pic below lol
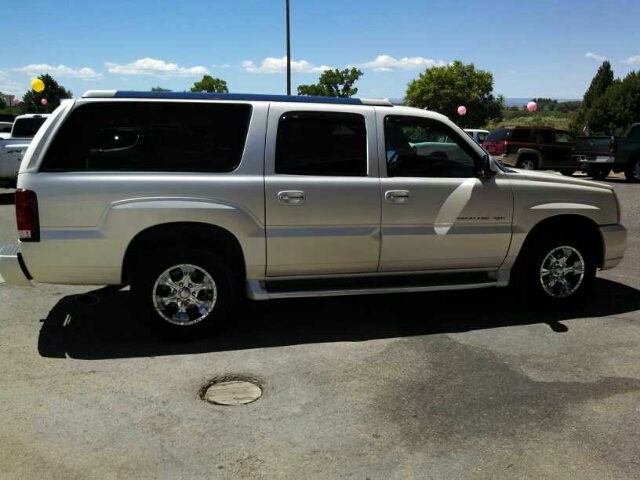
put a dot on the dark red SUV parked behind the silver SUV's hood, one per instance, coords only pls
(533, 148)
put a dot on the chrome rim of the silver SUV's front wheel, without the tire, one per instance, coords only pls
(562, 271)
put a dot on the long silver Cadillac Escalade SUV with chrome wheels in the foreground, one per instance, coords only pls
(196, 200)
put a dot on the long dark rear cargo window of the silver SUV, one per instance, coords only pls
(151, 136)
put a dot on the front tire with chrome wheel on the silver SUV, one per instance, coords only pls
(539, 277)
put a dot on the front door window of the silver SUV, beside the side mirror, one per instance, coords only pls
(421, 147)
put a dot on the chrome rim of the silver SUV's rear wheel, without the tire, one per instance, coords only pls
(184, 294)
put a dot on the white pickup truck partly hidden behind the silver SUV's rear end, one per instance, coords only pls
(12, 148)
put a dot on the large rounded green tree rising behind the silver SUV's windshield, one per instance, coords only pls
(444, 89)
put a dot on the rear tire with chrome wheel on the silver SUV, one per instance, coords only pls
(183, 292)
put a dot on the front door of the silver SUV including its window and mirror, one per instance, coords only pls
(436, 214)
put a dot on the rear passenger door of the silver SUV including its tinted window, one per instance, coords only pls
(322, 191)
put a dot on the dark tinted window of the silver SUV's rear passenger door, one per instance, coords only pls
(312, 143)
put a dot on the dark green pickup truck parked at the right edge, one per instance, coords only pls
(600, 155)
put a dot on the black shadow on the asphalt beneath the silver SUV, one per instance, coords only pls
(99, 325)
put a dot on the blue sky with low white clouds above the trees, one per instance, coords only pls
(538, 48)
